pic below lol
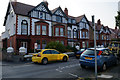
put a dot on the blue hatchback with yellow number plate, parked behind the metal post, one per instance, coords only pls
(105, 58)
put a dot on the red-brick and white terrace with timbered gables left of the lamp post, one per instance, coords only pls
(26, 25)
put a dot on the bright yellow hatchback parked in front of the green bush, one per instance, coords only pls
(45, 55)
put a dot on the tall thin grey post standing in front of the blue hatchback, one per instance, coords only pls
(93, 24)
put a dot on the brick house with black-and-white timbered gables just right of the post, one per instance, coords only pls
(103, 34)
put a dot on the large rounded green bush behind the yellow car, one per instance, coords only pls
(56, 45)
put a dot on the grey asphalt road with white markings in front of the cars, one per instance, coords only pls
(70, 69)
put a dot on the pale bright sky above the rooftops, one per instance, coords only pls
(105, 10)
